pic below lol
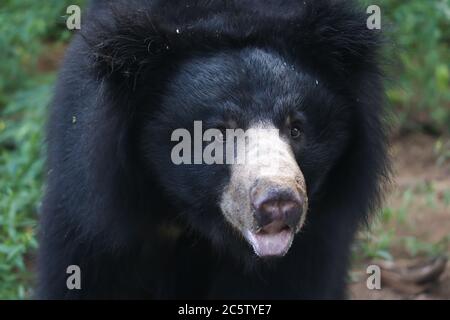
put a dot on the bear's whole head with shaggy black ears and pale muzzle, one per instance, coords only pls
(243, 117)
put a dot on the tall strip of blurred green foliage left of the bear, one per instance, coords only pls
(27, 27)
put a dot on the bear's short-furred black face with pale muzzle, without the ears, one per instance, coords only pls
(242, 141)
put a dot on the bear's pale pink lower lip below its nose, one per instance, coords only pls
(270, 244)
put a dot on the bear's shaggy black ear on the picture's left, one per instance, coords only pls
(123, 42)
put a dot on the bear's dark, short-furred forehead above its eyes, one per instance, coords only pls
(245, 79)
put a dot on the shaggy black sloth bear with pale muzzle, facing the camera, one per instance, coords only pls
(140, 225)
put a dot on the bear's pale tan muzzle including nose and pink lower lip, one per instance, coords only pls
(265, 199)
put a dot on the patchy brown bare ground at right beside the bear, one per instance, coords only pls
(422, 169)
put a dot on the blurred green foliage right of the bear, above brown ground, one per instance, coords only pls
(418, 62)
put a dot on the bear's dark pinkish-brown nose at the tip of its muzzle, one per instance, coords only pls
(276, 210)
